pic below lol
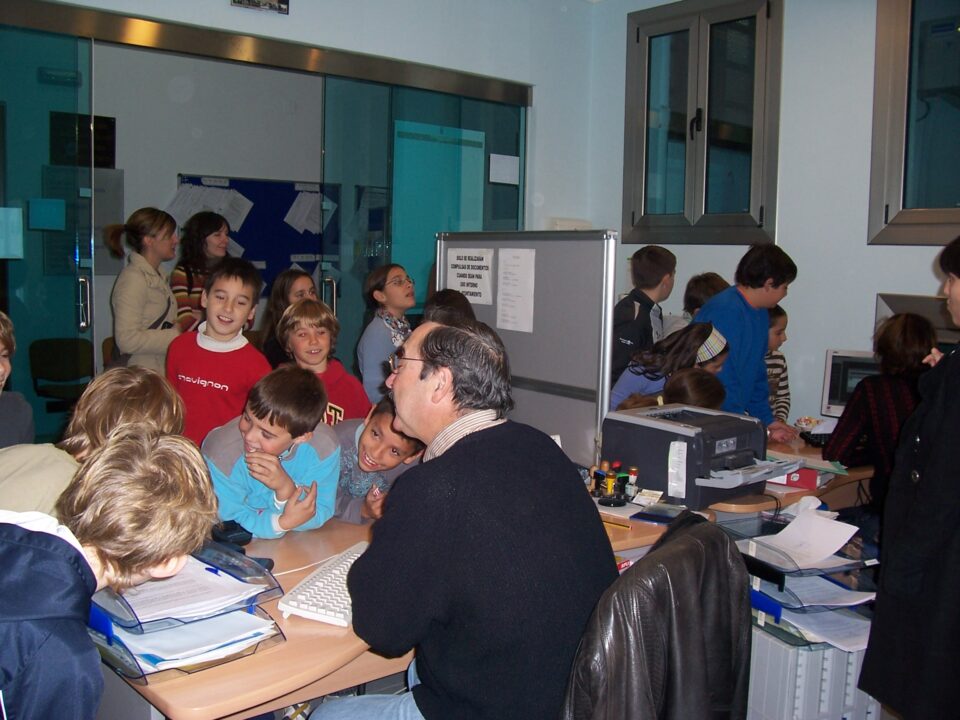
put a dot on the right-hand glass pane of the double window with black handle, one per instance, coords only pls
(730, 116)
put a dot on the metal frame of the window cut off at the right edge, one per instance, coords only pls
(889, 223)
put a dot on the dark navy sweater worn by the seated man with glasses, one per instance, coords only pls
(488, 560)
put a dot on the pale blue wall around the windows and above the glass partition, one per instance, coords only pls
(573, 54)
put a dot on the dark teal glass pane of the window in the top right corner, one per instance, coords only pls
(932, 155)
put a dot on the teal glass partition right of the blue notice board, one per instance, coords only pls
(411, 163)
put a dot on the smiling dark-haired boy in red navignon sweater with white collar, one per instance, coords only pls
(214, 368)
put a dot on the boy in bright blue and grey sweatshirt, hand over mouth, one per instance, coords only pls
(275, 467)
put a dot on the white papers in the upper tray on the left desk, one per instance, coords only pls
(196, 591)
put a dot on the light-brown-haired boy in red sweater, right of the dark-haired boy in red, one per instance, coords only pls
(308, 331)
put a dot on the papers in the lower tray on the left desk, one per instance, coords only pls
(198, 642)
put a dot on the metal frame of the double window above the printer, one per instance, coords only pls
(694, 226)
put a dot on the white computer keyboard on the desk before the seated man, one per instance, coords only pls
(322, 595)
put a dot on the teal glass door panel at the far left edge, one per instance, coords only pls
(46, 259)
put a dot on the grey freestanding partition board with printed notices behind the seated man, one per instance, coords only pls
(553, 309)
